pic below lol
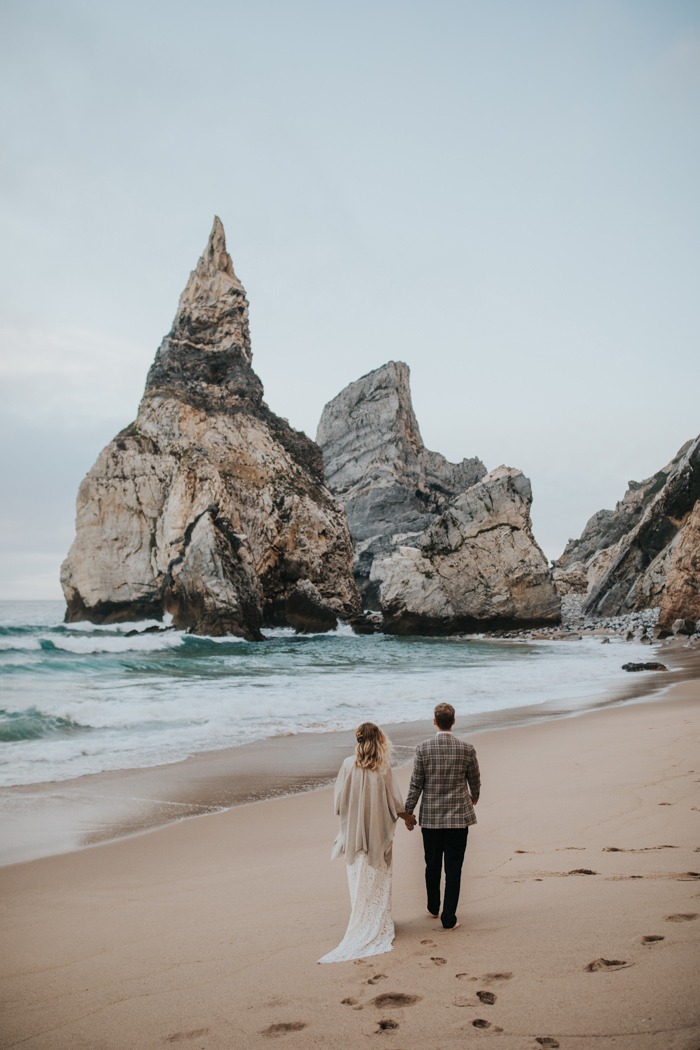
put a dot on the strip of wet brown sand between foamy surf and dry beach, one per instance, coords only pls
(51, 818)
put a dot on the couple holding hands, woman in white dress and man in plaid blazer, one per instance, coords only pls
(369, 805)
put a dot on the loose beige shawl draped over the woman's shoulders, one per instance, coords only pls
(368, 805)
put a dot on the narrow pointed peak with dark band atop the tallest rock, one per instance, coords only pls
(207, 354)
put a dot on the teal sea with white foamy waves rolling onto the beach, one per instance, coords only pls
(80, 699)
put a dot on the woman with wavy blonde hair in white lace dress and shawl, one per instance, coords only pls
(369, 804)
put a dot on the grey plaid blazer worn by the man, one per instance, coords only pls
(447, 774)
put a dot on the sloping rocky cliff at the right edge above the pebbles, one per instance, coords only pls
(646, 554)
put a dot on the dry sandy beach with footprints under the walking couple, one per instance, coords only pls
(580, 912)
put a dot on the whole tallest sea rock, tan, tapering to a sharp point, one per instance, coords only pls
(209, 507)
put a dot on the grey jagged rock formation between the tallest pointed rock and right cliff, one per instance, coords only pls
(440, 548)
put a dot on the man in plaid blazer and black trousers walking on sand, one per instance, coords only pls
(447, 773)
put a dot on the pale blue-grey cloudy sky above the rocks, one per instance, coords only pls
(502, 194)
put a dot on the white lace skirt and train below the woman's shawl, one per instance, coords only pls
(371, 928)
